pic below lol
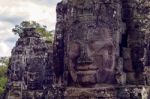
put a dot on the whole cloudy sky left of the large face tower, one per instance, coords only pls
(13, 12)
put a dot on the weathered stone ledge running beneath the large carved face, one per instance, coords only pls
(108, 91)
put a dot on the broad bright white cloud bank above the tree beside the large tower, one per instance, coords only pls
(30, 11)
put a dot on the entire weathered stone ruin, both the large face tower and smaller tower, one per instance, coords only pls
(100, 51)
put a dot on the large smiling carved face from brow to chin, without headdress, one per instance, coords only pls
(92, 53)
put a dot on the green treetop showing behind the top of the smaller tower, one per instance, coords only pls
(41, 29)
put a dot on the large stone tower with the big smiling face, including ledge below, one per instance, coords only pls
(102, 42)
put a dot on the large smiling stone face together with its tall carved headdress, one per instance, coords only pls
(92, 31)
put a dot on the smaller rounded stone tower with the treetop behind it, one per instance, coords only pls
(29, 66)
